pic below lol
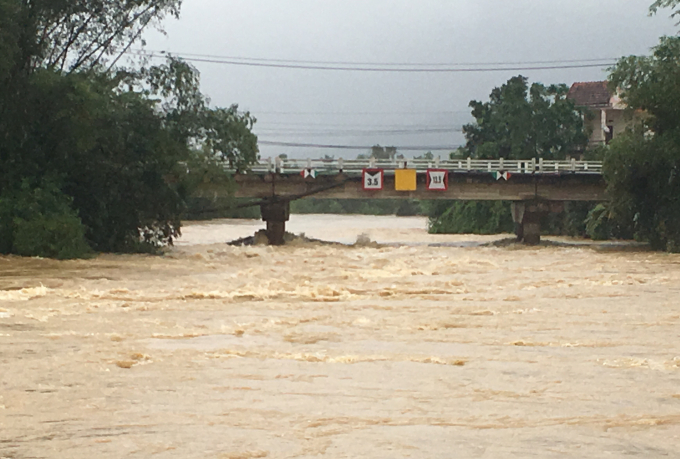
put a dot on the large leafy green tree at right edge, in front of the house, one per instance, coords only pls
(642, 167)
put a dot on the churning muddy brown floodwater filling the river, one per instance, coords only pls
(427, 347)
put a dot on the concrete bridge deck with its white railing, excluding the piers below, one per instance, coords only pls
(474, 180)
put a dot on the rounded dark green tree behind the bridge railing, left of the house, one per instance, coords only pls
(522, 122)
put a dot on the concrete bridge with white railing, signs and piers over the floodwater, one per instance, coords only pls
(535, 187)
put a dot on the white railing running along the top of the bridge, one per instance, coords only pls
(356, 166)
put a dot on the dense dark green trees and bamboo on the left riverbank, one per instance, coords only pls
(94, 156)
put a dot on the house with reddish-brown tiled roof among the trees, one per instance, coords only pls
(609, 119)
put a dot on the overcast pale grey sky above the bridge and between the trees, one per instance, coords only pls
(414, 111)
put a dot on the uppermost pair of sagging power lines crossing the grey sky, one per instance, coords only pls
(385, 69)
